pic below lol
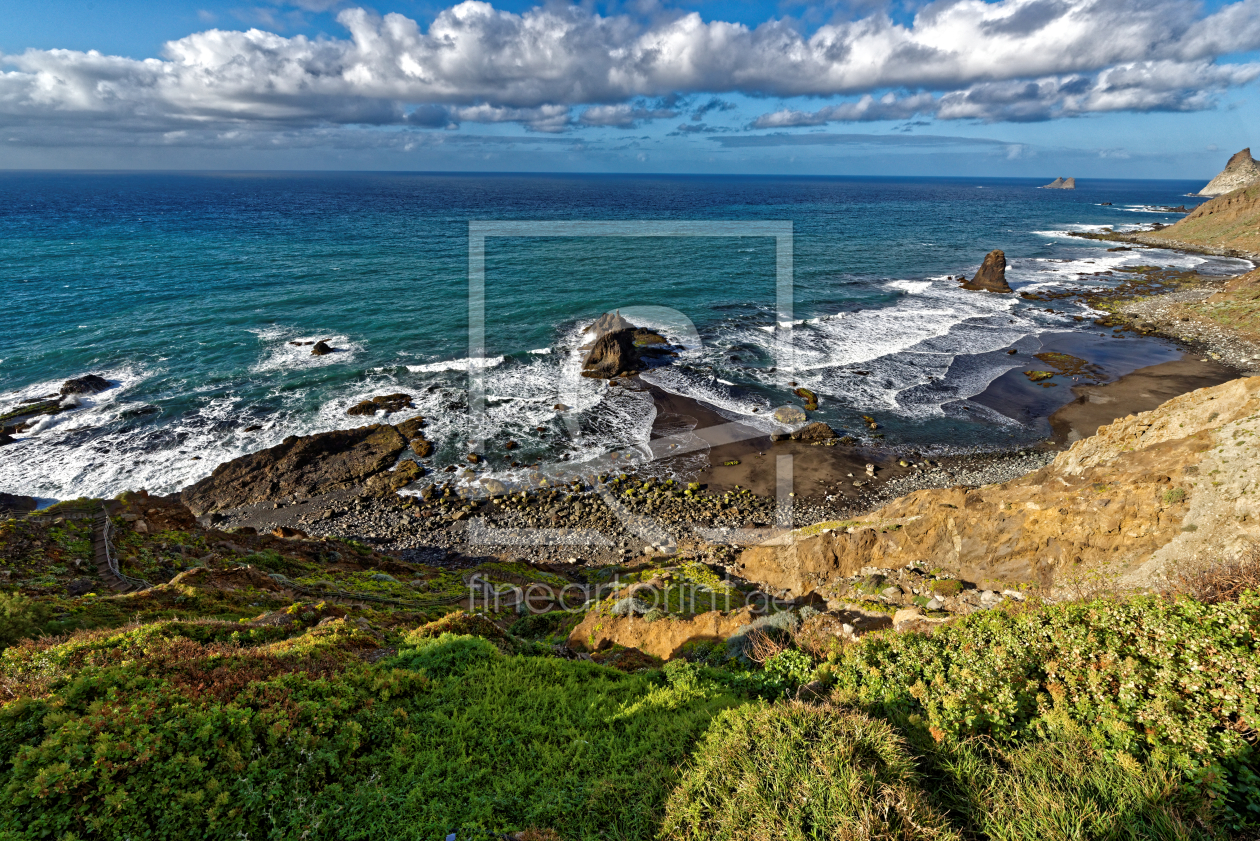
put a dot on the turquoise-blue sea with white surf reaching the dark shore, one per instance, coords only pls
(188, 289)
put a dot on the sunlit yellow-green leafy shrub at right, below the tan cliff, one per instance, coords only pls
(1172, 683)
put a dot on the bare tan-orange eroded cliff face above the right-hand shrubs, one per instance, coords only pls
(1148, 496)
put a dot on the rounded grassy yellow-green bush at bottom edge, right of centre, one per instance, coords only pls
(793, 772)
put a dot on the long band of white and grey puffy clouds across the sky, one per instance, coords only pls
(1010, 60)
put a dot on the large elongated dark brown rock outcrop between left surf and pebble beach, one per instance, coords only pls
(301, 466)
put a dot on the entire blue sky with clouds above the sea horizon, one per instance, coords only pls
(1091, 89)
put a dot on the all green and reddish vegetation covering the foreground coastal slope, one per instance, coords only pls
(225, 704)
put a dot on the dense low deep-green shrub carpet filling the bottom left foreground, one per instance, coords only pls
(367, 752)
